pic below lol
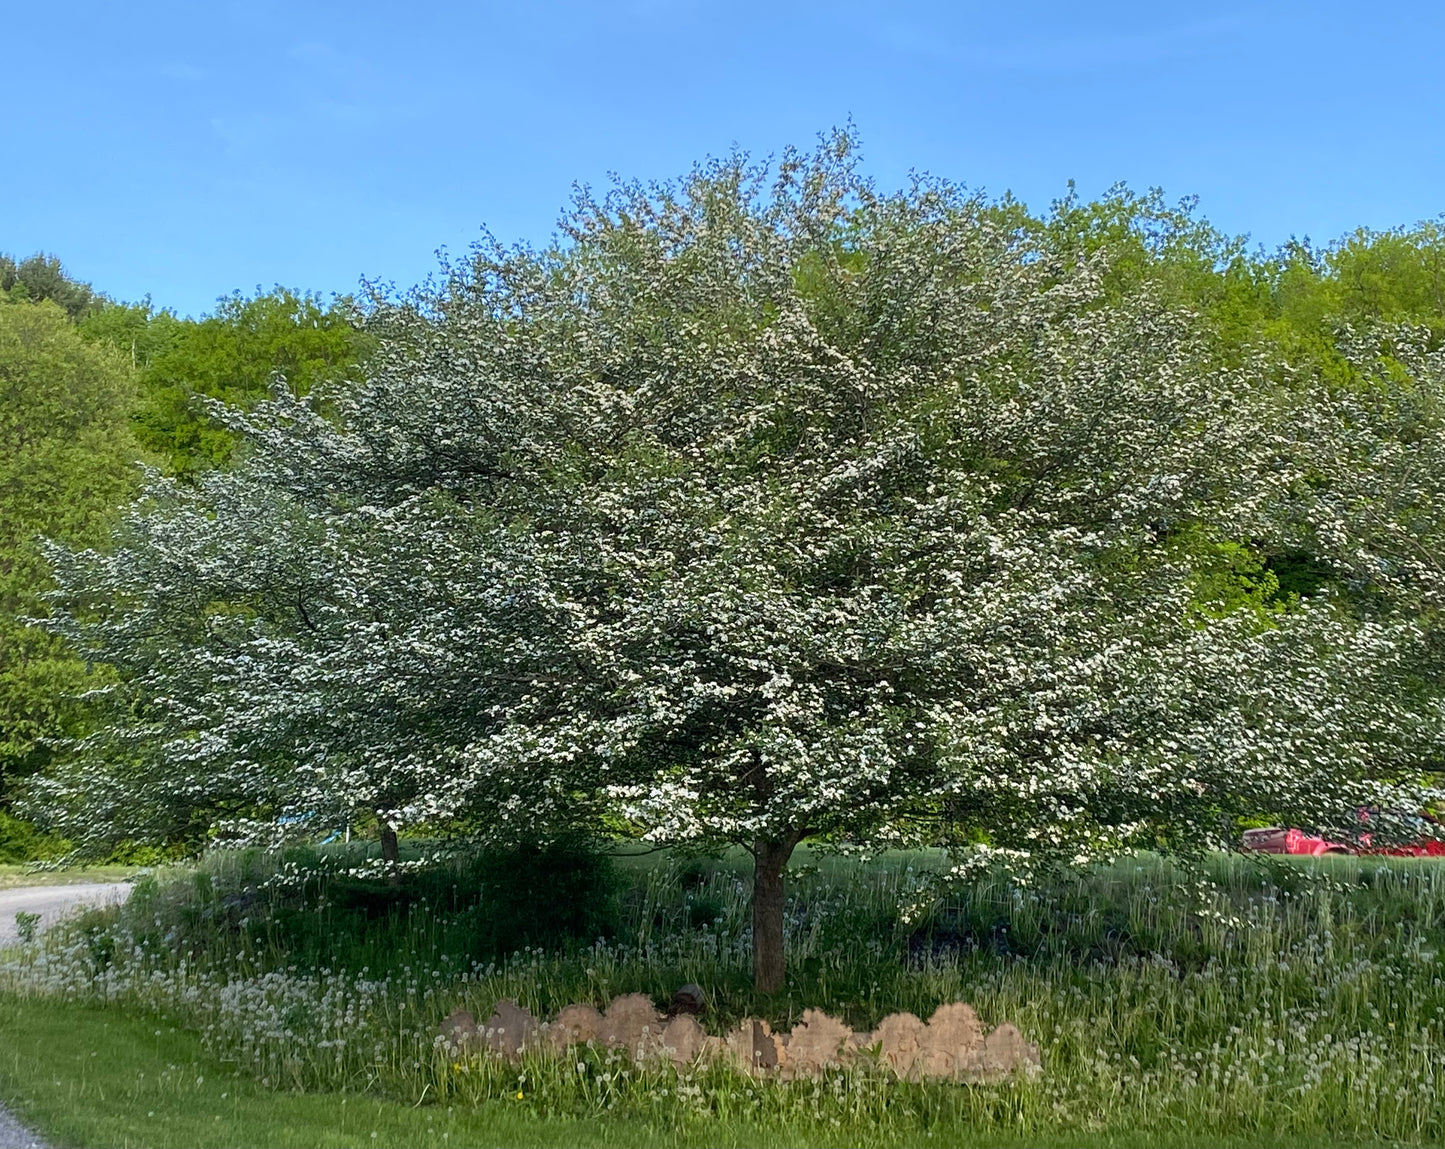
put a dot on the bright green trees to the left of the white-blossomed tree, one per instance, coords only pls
(92, 392)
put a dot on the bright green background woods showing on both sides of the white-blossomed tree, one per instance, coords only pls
(93, 391)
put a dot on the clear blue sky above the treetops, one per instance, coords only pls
(186, 151)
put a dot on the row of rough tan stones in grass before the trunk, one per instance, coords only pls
(952, 1046)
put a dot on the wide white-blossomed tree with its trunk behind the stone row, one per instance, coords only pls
(754, 512)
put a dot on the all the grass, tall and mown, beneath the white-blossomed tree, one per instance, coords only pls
(1258, 1004)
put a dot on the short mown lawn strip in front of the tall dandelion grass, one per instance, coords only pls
(98, 1077)
